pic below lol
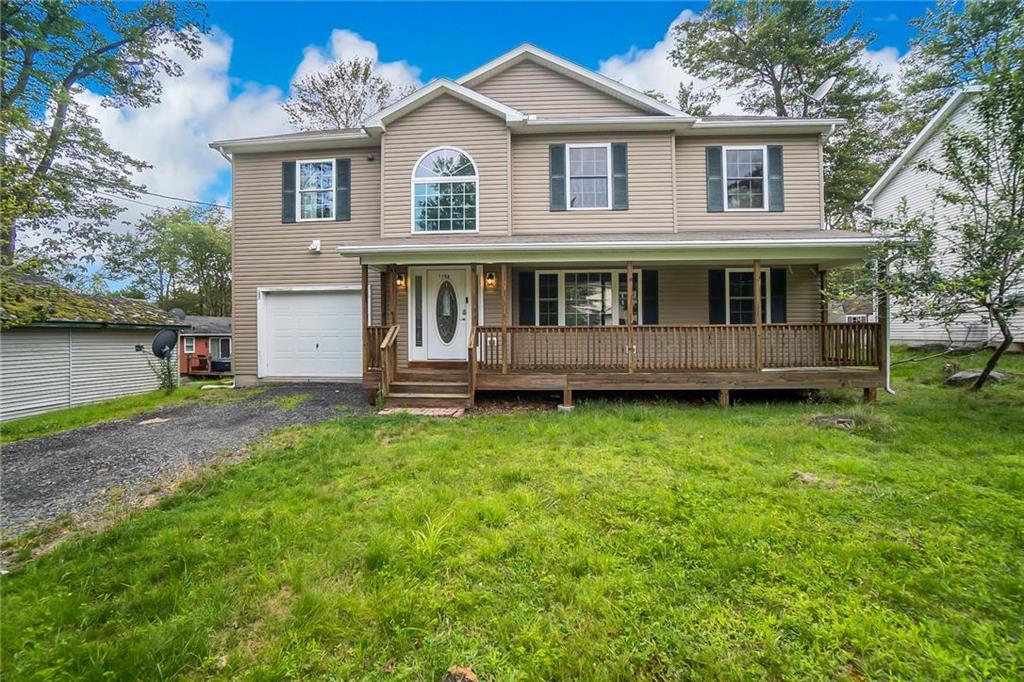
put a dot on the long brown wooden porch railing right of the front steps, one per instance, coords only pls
(678, 348)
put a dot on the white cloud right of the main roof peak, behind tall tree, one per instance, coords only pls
(651, 69)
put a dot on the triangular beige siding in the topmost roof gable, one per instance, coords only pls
(537, 90)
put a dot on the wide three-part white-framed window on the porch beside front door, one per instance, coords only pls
(585, 299)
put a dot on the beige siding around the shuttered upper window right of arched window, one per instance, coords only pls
(650, 164)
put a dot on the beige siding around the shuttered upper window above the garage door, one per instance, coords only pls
(268, 252)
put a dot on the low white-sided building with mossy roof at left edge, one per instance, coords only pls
(60, 349)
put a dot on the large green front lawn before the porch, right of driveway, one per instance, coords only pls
(648, 542)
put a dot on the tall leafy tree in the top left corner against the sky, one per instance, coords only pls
(59, 173)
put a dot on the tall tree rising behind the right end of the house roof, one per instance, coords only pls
(777, 52)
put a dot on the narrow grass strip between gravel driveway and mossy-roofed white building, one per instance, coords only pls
(86, 415)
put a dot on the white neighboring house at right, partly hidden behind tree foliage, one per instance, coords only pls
(903, 182)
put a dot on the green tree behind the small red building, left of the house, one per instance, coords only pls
(178, 259)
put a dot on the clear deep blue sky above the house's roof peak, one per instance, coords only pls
(270, 35)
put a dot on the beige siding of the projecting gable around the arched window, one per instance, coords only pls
(447, 122)
